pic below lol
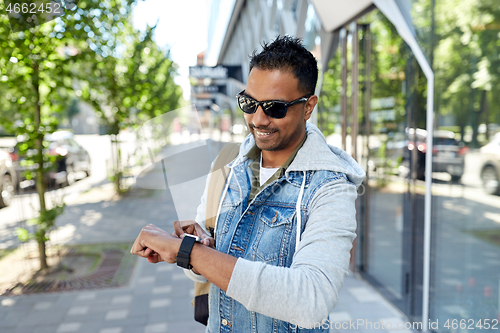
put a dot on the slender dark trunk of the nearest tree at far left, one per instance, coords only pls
(40, 179)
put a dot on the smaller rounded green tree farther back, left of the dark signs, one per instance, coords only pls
(130, 85)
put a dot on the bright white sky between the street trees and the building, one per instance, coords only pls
(182, 26)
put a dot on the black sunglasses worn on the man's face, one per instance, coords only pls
(273, 109)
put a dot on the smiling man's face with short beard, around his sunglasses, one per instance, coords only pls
(276, 134)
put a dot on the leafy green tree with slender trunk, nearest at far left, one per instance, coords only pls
(38, 64)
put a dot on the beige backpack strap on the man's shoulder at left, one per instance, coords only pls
(220, 172)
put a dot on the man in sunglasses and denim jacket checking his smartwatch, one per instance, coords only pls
(287, 217)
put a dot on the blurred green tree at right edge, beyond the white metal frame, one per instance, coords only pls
(466, 62)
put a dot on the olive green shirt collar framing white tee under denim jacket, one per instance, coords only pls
(254, 154)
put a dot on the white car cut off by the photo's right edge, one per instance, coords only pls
(490, 170)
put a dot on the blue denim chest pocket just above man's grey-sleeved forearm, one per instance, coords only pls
(275, 232)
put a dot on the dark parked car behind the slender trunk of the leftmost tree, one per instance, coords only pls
(71, 159)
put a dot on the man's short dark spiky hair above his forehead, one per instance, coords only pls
(288, 53)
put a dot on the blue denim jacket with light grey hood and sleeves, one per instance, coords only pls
(292, 241)
